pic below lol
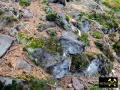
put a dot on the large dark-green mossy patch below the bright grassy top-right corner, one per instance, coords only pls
(106, 20)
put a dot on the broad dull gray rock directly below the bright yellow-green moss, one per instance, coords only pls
(43, 58)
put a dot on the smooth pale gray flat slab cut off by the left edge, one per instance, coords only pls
(5, 43)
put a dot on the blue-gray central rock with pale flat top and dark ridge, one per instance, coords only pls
(70, 43)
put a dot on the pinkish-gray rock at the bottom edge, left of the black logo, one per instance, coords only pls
(76, 84)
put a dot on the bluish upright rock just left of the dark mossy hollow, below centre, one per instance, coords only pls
(60, 69)
